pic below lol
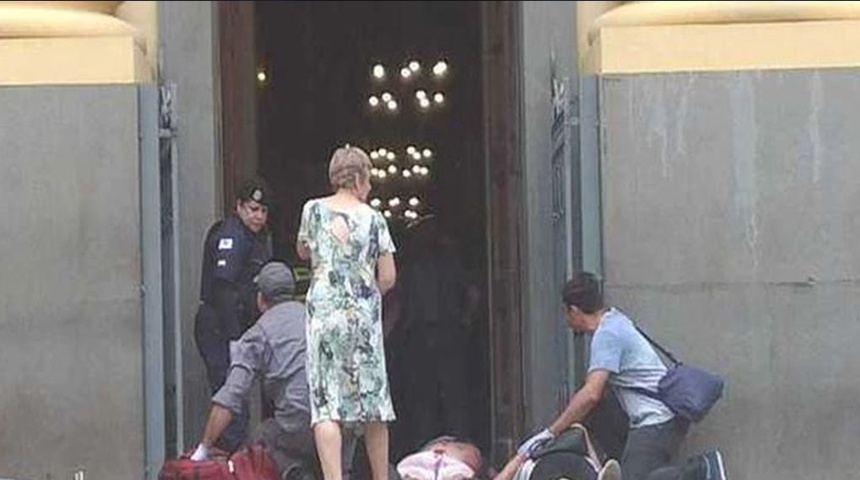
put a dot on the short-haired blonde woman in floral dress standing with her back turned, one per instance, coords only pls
(352, 258)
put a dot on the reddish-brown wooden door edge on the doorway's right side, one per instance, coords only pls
(501, 25)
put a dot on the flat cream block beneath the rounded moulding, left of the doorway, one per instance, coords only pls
(73, 60)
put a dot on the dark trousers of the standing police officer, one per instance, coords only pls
(214, 347)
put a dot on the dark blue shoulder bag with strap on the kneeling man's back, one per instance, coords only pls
(688, 391)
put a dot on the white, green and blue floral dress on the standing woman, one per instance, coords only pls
(345, 357)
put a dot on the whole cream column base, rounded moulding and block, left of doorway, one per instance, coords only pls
(77, 42)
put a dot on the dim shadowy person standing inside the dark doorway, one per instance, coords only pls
(434, 356)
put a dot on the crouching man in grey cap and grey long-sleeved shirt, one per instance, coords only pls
(273, 348)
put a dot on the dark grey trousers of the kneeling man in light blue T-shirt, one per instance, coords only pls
(650, 451)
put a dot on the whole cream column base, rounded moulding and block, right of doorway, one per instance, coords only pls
(661, 36)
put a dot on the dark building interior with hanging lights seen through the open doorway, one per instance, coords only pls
(321, 90)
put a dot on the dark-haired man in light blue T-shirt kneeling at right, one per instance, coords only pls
(623, 359)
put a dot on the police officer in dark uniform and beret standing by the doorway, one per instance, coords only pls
(234, 251)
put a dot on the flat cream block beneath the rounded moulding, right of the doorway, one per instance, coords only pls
(725, 47)
